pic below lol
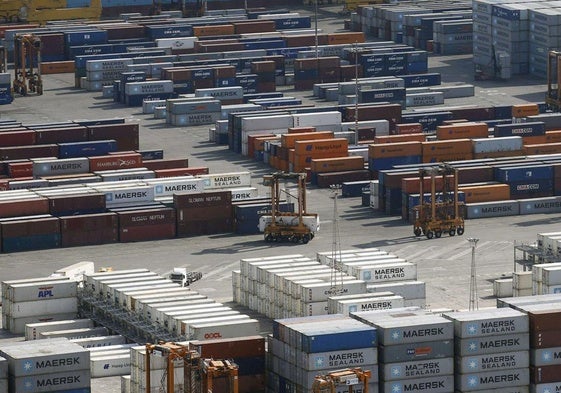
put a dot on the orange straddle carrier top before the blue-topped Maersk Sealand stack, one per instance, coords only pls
(353, 378)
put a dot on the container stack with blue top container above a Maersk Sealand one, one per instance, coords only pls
(301, 348)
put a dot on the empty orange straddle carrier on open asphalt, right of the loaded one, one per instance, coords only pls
(441, 213)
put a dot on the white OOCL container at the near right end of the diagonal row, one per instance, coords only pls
(232, 329)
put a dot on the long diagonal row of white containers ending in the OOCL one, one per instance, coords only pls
(163, 305)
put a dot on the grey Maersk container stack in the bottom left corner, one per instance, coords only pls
(55, 365)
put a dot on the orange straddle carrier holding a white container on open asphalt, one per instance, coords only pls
(287, 226)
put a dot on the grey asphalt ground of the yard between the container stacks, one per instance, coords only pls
(444, 264)
